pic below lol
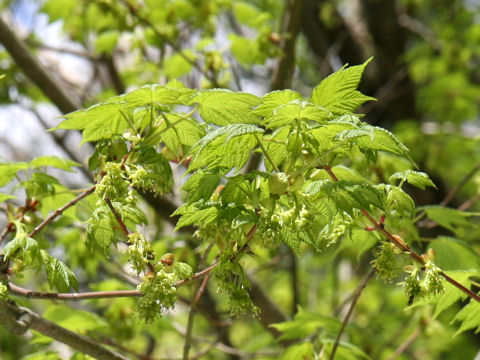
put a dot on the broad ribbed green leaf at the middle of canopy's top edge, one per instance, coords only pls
(224, 107)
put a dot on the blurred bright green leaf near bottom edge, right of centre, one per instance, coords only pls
(305, 323)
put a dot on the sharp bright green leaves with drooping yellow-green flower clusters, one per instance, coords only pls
(302, 195)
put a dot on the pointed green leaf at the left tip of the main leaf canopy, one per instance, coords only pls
(98, 122)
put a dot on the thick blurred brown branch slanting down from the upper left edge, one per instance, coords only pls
(36, 71)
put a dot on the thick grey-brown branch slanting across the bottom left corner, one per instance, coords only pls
(18, 320)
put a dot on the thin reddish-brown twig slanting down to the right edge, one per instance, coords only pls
(404, 246)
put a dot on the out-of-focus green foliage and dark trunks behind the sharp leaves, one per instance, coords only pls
(425, 76)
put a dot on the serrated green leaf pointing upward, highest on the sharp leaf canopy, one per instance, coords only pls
(337, 93)
